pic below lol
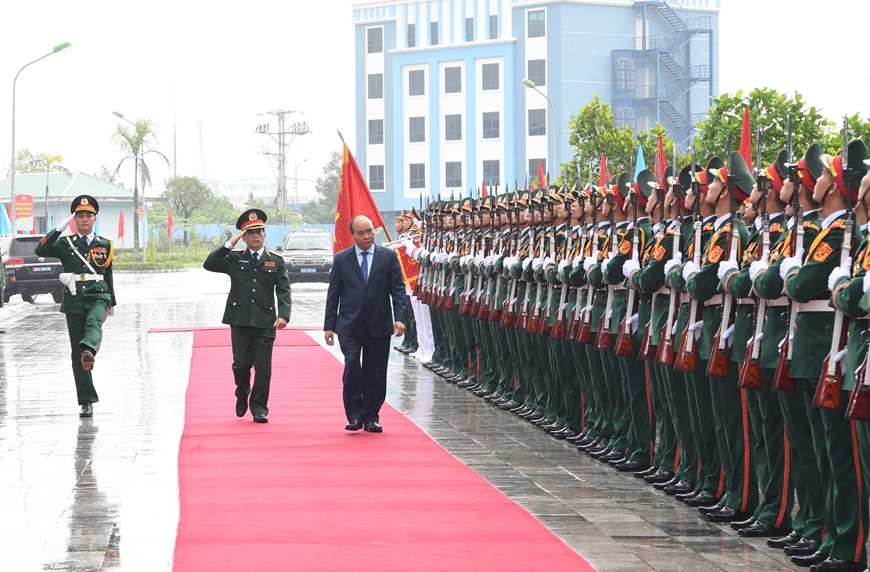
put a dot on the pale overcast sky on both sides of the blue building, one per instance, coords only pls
(215, 69)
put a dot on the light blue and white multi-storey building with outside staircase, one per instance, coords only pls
(440, 104)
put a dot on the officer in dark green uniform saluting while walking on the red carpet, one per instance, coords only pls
(257, 273)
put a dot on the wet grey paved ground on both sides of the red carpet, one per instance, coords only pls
(101, 493)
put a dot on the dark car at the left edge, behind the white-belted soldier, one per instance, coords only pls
(26, 273)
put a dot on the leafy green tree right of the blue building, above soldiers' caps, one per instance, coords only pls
(768, 109)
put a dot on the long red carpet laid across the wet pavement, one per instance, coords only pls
(300, 493)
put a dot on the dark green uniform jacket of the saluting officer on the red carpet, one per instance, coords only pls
(254, 286)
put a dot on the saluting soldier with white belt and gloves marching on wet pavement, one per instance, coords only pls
(89, 295)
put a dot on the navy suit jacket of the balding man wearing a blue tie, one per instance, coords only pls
(354, 308)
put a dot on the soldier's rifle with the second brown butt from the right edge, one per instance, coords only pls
(831, 381)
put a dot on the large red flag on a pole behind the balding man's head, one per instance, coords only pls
(354, 198)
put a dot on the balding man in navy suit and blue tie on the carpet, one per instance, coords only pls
(363, 280)
